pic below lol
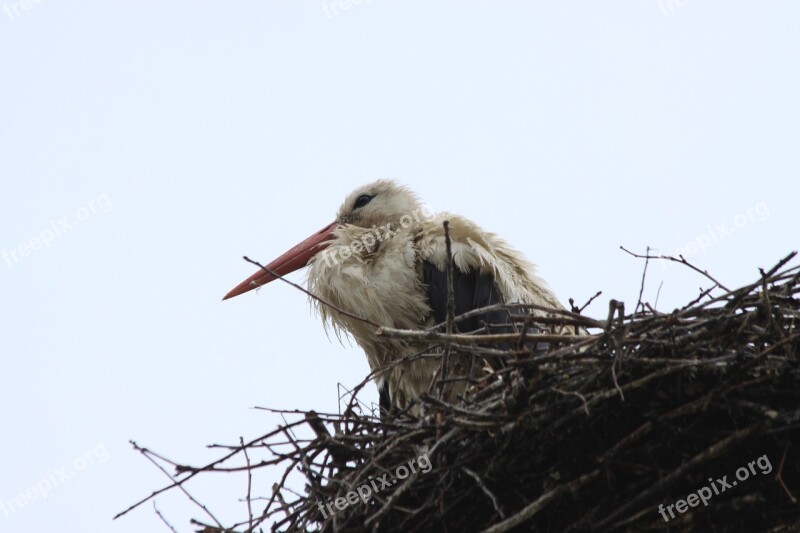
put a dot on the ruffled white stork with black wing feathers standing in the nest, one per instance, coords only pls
(384, 259)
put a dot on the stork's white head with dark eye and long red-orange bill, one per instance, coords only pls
(377, 204)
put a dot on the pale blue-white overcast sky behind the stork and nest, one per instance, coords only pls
(146, 146)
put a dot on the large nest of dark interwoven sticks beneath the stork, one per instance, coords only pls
(688, 420)
